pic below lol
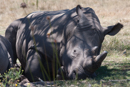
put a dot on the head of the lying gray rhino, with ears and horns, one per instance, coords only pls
(82, 57)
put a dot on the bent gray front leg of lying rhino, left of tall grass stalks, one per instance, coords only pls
(33, 69)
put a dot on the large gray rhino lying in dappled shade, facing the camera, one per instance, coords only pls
(78, 35)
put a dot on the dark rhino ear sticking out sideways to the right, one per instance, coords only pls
(113, 30)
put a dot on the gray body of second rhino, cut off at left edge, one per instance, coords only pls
(6, 55)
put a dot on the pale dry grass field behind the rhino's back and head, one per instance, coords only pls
(108, 11)
